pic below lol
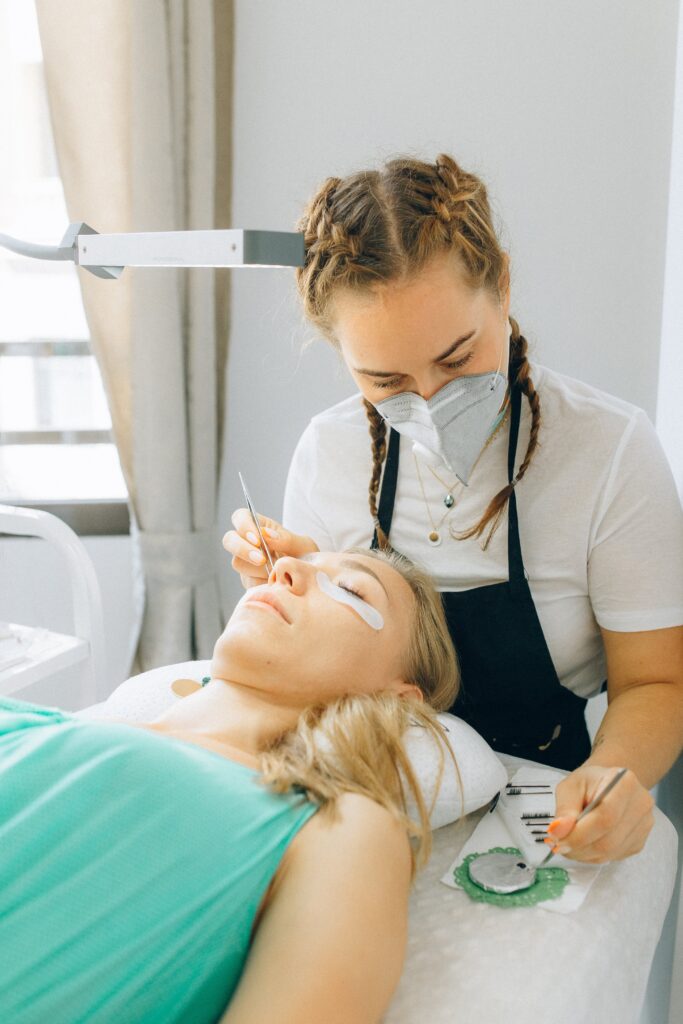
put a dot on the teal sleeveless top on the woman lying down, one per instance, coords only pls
(132, 870)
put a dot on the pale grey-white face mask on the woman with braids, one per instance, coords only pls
(455, 423)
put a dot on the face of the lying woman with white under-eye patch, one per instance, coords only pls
(322, 627)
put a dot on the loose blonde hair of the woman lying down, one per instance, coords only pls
(356, 743)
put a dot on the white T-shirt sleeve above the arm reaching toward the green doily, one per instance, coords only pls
(635, 565)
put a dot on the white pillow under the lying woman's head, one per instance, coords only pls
(148, 696)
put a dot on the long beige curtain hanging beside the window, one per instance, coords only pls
(140, 98)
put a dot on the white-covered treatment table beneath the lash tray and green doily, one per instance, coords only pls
(473, 963)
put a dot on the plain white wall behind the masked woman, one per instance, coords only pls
(567, 113)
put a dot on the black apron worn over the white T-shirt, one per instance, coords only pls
(510, 693)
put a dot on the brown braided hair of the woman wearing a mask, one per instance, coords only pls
(386, 226)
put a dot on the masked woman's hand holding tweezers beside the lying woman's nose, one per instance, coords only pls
(244, 545)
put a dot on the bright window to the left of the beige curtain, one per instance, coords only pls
(56, 440)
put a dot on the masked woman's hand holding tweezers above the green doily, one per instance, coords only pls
(615, 830)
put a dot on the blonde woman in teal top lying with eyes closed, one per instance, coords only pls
(247, 857)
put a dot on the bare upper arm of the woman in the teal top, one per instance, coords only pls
(331, 946)
